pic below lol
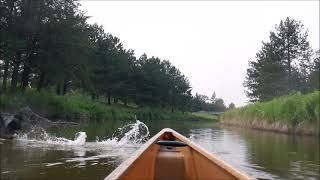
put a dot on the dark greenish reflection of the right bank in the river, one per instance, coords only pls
(287, 156)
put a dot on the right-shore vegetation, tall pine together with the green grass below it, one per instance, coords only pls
(285, 67)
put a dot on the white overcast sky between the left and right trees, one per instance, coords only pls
(210, 42)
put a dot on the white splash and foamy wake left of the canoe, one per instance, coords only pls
(122, 143)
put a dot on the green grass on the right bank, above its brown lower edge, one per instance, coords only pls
(293, 110)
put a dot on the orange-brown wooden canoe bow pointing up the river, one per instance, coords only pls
(168, 156)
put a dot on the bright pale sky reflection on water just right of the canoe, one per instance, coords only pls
(231, 148)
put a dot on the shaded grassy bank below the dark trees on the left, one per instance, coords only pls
(78, 107)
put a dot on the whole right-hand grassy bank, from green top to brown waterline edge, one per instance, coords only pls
(296, 113)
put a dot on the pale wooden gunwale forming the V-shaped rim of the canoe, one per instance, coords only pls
(123, 167)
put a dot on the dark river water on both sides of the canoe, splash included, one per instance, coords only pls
(264, 155)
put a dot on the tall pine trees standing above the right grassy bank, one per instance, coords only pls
(285, 63)
